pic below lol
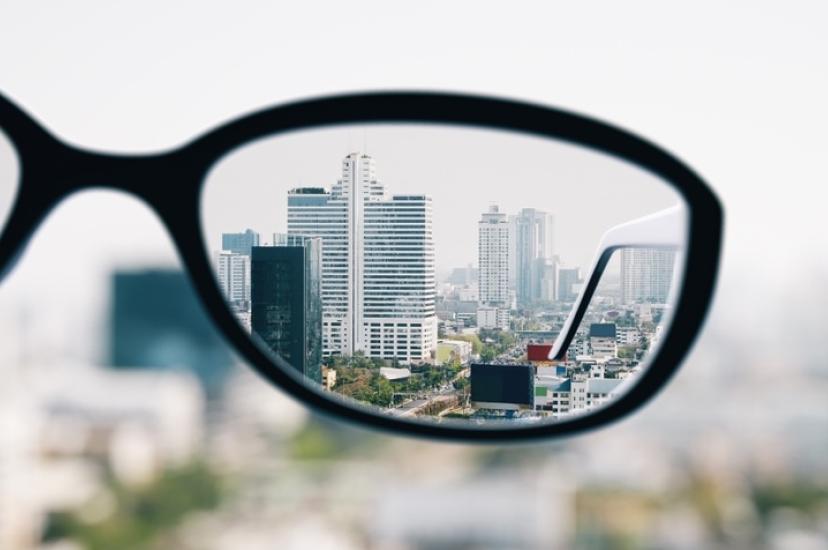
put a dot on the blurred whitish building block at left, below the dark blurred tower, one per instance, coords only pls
(66, 429)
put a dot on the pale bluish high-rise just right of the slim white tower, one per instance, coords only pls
(532, 247)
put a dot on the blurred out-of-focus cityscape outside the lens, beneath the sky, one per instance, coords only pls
(152, 457)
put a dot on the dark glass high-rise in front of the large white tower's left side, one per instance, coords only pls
(286, 307)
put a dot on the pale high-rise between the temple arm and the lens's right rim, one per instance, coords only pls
(646, 274)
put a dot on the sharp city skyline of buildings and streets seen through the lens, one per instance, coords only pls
(382, 318)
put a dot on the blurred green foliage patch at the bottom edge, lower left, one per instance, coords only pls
(141, 514)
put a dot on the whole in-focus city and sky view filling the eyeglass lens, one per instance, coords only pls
(430, 278)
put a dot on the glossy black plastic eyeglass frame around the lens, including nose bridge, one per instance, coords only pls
(171, 183)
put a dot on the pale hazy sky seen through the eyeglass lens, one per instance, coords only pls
(463, 170)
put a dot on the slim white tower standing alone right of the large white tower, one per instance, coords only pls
(493, 258)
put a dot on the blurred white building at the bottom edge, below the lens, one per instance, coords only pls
(467, 513)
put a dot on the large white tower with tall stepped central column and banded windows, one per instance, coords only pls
(378, 281)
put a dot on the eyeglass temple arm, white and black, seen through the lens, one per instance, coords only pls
(663, 229)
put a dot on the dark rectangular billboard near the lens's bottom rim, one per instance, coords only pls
(511, 386)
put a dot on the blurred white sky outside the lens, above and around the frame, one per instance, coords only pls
(736, 89)
